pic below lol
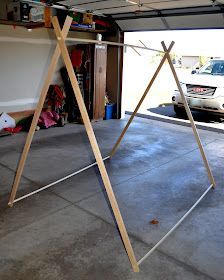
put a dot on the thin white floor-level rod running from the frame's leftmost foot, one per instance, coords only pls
(58, 181)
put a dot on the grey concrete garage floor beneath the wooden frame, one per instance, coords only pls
(68, 232)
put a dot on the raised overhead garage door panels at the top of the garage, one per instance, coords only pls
(135, 15)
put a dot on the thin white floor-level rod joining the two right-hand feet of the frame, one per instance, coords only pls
(176, 225)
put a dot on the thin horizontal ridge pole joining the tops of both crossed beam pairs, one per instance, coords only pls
(111, 43)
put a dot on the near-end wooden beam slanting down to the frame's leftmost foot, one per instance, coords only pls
(39, 107)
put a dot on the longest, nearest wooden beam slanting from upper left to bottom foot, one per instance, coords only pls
(94, 145)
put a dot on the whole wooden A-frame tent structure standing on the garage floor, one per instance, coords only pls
(61, 49)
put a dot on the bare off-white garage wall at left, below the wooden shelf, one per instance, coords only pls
(22, 72)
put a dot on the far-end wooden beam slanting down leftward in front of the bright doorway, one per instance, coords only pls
(141, 101)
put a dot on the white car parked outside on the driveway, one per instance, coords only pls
(204, 89)
